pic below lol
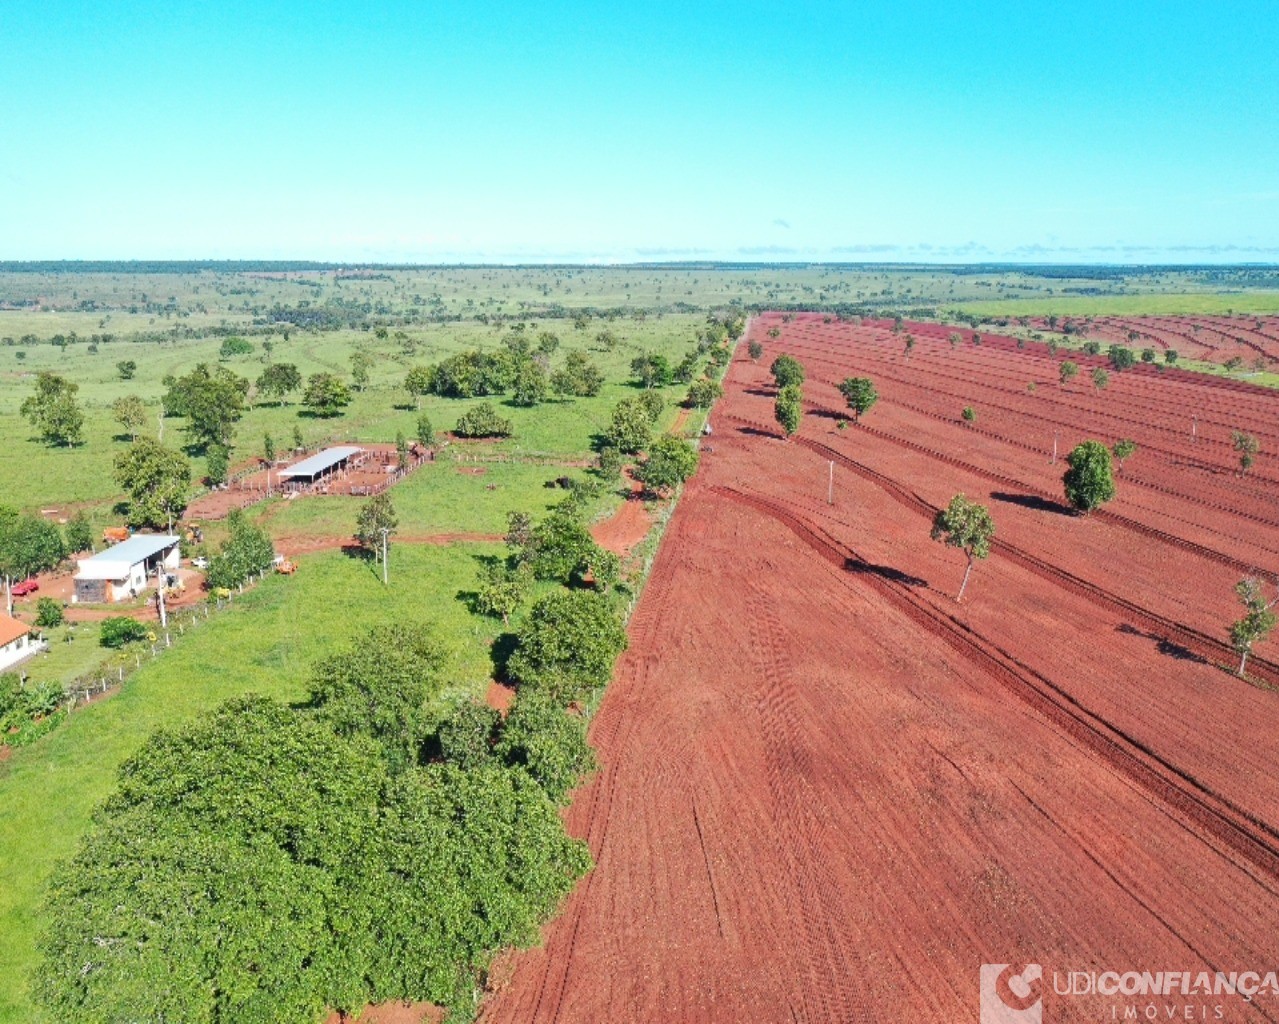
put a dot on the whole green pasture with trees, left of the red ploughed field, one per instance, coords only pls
(530, 421)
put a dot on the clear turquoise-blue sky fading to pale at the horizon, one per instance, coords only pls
(1103, 132)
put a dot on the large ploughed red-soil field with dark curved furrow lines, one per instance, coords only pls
(829, 793)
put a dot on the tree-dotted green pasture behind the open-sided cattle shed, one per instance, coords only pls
(36, 476)
